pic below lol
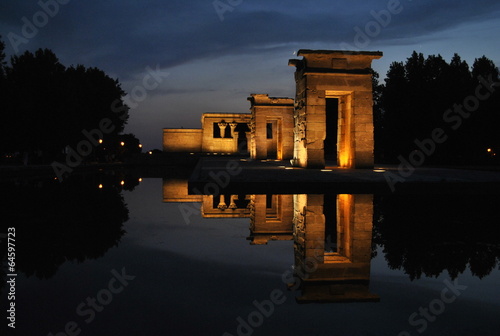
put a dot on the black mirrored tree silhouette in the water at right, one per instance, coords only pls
(427, 235)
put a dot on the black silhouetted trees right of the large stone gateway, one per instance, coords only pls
(425, 94)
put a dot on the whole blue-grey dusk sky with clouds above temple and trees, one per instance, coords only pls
(211, 55)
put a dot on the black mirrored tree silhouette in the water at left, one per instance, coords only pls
(76, 220)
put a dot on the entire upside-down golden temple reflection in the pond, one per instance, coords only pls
(332, 236)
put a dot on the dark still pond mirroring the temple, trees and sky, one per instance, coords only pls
(117, 254)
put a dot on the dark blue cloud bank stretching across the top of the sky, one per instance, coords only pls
(124, 36)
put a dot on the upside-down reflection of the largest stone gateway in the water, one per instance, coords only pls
(341, 274)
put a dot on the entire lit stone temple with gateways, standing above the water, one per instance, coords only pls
(330, 119)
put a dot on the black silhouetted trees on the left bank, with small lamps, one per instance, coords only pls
(47, 108)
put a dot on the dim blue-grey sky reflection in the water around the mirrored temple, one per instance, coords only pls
(197, 279)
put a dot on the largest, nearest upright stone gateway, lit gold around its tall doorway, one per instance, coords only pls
(334, 108)
